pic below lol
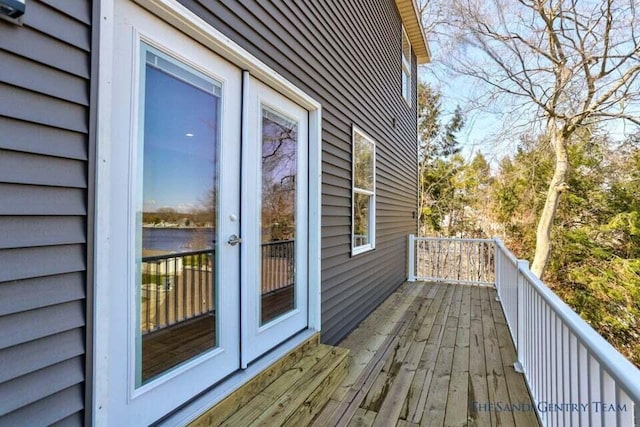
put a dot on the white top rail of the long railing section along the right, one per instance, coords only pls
(620, 369)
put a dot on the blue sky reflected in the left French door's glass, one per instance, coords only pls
(180, 140)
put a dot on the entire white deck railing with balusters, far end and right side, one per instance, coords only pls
(575, 377)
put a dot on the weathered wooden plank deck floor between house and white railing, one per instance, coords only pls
(432, 355)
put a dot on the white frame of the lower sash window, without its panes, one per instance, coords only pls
(355, 250)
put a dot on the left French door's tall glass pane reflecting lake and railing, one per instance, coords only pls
(177, 225)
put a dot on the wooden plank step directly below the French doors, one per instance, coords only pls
(288, 393)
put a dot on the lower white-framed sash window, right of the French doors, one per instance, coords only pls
(364, 193)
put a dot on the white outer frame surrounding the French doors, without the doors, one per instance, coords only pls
(196, 28)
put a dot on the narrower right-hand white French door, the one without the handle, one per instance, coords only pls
(274, 255)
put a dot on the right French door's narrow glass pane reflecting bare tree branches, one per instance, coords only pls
(279, 139)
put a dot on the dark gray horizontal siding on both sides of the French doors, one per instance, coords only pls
(346, 54)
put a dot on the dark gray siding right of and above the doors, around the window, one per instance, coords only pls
(347, 55)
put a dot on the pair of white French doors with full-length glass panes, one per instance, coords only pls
(207, 217)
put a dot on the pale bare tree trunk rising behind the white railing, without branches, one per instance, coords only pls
(556, 187)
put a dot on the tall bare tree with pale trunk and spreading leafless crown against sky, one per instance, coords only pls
(560, 65)
